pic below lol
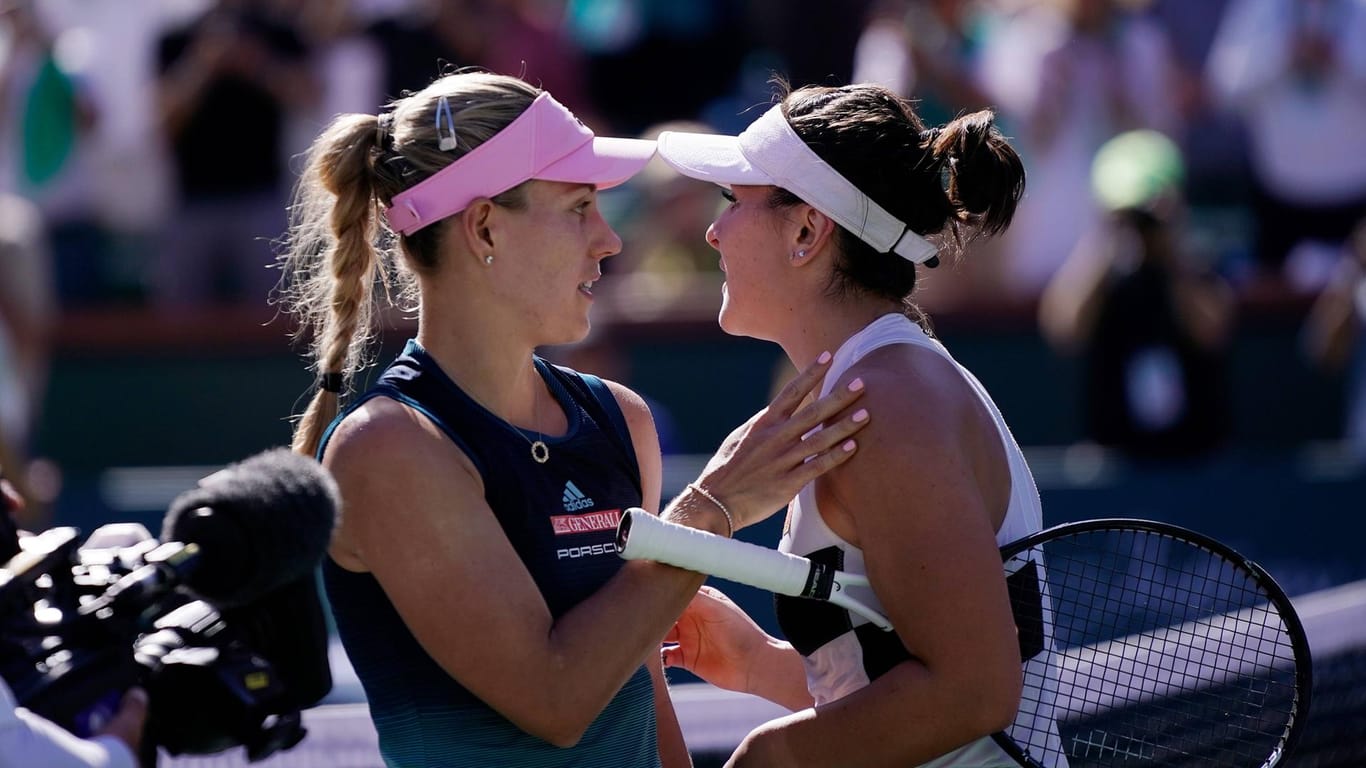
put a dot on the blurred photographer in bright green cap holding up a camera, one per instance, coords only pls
(1149, 322)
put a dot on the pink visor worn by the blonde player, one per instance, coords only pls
(546, 143)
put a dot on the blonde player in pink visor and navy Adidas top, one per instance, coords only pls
(475, 577)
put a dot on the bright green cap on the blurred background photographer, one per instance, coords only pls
(1136, 169)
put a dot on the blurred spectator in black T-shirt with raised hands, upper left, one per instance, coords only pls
(229, 83)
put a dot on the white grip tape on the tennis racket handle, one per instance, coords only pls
(643, 536)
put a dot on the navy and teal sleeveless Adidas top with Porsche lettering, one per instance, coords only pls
(561, 519)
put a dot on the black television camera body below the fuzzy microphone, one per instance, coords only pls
(83, 624)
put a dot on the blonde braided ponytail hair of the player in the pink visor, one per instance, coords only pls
(342, 266)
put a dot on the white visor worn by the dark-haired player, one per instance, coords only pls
(771, 154)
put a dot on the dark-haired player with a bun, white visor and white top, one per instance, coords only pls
(838, 197)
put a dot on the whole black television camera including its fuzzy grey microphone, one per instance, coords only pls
(219, 620)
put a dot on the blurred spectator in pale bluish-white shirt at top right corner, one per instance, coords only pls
(1296, 72)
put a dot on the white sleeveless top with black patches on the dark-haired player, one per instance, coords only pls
(844, 651)
